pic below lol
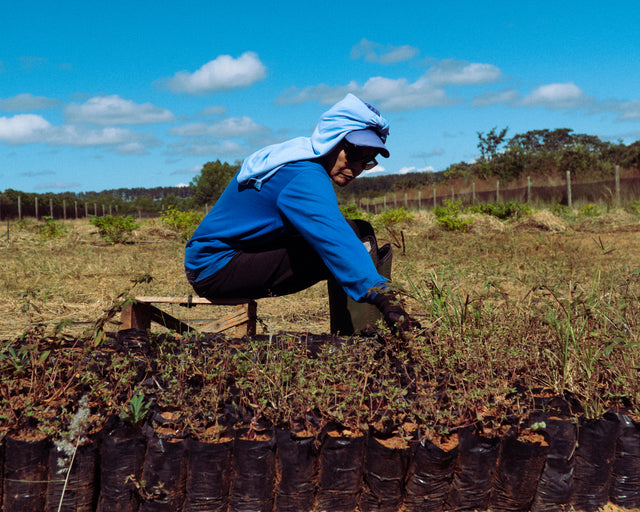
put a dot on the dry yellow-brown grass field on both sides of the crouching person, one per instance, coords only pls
(76, 278)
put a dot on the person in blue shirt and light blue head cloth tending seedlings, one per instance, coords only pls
(277, 228)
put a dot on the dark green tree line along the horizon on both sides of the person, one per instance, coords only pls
(534, 153)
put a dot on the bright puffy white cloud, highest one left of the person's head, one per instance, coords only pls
(221, 74)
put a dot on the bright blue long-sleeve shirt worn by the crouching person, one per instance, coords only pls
(298, 200)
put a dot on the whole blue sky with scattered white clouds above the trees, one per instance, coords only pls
(102, 95)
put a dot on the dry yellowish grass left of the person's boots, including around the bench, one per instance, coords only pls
(74, 279)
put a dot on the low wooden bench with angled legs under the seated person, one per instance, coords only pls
(140, 313)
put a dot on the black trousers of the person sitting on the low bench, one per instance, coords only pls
(281, 270)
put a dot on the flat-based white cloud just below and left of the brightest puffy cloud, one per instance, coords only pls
(114, 110)
